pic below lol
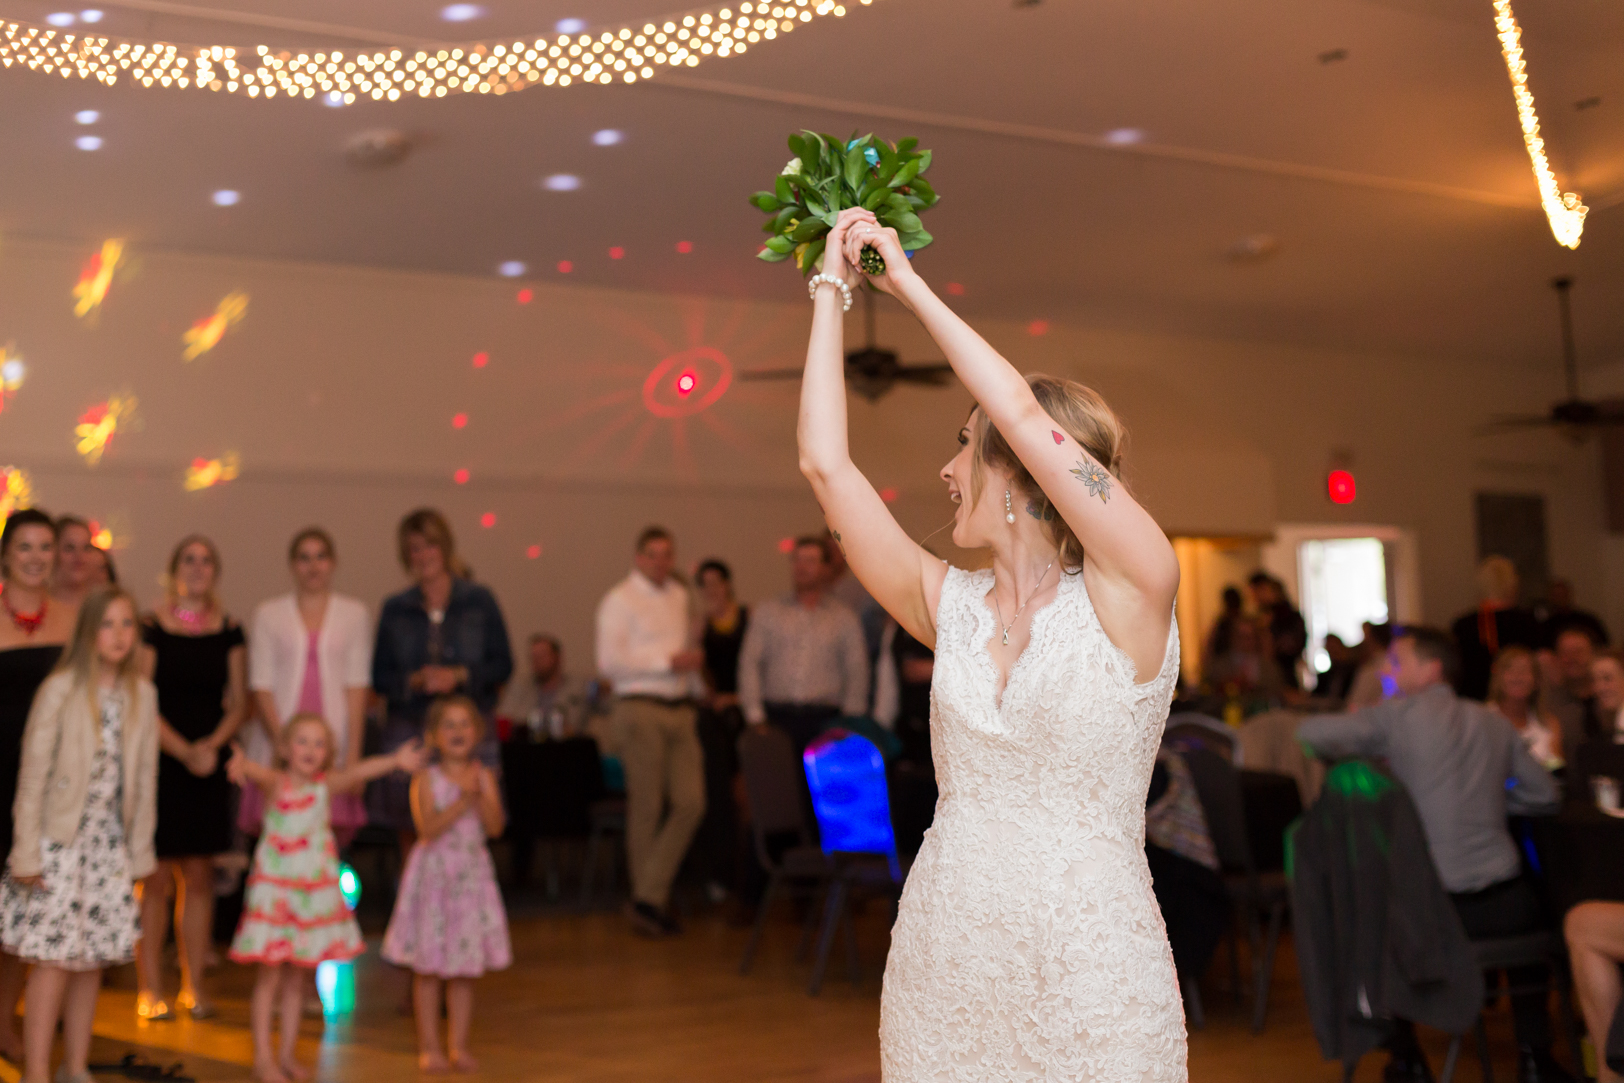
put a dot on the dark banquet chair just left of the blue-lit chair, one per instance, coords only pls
(779, 827)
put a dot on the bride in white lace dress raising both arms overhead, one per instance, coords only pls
(1029, 944)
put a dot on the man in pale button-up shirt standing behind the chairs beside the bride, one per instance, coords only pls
(805, 660)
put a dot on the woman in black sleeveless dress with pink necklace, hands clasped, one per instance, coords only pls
(197, 658)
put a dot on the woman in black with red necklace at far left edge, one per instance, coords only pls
(32, 641)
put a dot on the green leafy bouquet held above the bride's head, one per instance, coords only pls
(826, 178)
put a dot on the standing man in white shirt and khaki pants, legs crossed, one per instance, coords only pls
(649, 655)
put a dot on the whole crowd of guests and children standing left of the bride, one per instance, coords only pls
(147, 746)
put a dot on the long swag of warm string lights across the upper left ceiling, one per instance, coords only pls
(623, 54)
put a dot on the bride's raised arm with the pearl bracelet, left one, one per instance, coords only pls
(897, 572)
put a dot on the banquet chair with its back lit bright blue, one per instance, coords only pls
(852, 801)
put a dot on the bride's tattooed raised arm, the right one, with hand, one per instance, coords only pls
(1131, 571)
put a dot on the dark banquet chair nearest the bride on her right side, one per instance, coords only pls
(1256, 895)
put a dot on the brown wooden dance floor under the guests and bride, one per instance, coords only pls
(587, 1003)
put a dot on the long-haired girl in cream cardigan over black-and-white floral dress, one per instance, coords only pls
(85, 814)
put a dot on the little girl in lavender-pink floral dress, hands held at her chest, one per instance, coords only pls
(449, 925)
